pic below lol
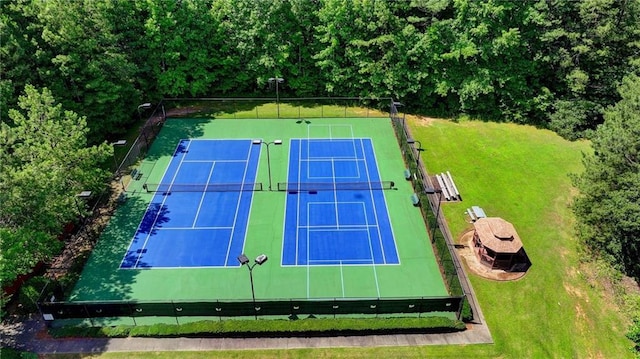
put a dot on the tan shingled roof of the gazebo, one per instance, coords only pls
(498, 235)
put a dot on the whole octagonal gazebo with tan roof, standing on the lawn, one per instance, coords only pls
(498, 246)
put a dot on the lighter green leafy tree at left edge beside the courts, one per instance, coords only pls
(45, 163)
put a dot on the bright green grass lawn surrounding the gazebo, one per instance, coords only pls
(521, 174)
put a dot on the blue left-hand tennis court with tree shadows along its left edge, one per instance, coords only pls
(187, 227)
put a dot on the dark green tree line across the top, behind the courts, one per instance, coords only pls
(551, 63)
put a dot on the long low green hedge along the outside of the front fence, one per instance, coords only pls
(270, 328)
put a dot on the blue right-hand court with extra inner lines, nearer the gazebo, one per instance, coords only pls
(339, 226)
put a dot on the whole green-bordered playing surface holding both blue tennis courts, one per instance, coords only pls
(334, 225)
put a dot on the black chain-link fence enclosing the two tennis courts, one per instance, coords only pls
(54, 307)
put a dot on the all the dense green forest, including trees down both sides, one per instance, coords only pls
(73, 72)
